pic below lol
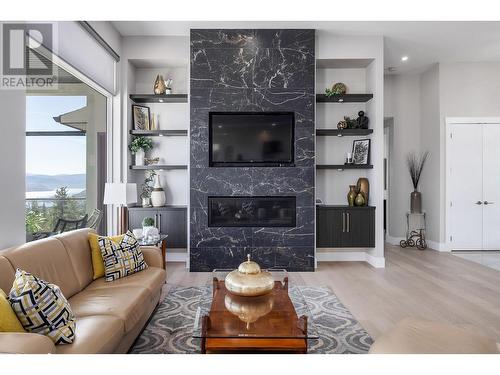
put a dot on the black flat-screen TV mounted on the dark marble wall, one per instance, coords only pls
(251, 138)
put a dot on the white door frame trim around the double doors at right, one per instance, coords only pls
(449, 122)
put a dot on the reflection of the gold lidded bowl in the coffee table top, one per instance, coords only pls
(249, 309)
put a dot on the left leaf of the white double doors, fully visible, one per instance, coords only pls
(466, 191)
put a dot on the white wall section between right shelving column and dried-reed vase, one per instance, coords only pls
(402, 104)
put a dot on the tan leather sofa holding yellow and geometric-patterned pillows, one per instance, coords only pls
(109, 315)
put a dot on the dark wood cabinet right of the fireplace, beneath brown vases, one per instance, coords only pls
(344, 226)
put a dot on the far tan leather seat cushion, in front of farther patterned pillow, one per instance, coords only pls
(126, 303)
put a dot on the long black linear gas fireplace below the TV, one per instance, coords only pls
(252, 211)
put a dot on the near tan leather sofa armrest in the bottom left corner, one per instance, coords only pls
(25, 343)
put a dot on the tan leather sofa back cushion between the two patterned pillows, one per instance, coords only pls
(48, 260)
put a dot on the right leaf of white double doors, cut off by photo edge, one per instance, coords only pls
(491, 187)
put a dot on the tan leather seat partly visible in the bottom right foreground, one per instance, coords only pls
(416, 336)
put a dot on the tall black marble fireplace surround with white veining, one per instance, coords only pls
(252, 71)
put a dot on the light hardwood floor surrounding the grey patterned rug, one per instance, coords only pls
(425, 284)
